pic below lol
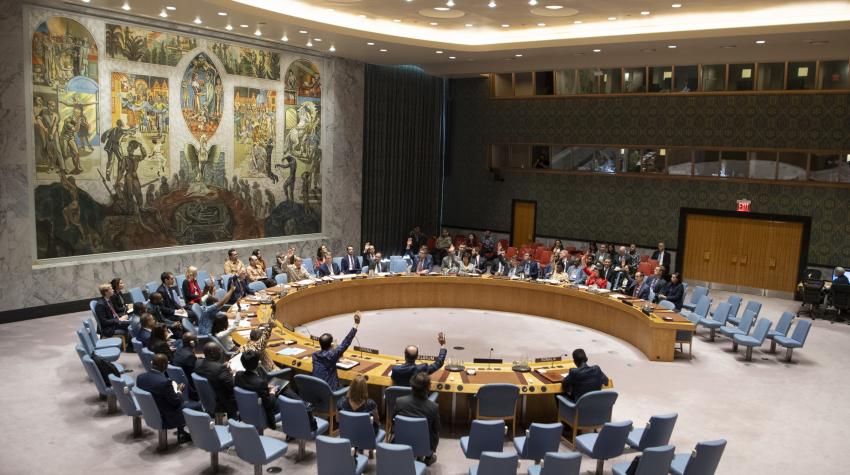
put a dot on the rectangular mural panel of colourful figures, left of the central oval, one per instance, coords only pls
(140, 105)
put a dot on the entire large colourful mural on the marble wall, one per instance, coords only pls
(144, 181)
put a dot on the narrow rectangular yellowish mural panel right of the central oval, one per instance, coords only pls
(254, 132)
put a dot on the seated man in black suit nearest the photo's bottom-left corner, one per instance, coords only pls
(169, 402)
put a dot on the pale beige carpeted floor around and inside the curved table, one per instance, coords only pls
(777, 417)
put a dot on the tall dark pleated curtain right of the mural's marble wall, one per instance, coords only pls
(403, 137)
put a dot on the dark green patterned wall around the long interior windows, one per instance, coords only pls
(634, 209)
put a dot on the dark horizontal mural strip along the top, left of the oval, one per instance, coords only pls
(131, 43)
